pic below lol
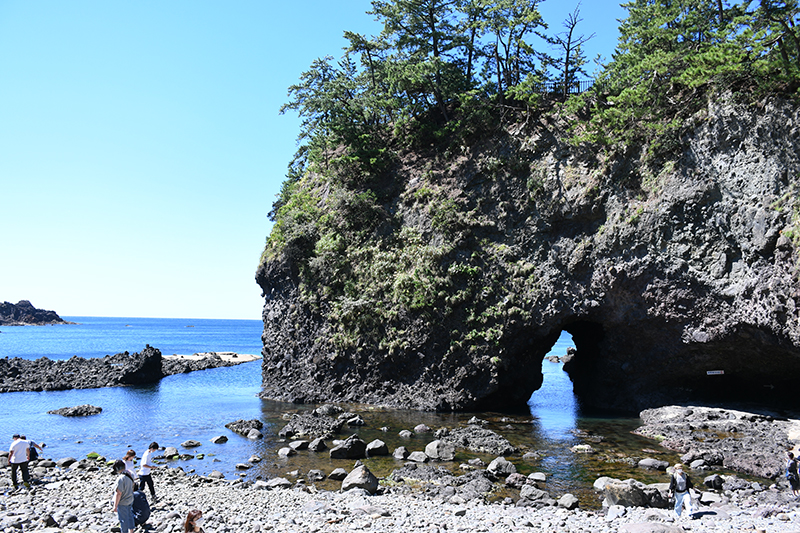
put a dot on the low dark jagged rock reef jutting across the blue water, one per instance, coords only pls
(139, 368)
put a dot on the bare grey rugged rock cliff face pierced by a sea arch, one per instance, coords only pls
(676, 285)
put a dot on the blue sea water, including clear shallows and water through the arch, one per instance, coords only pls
(199, 404)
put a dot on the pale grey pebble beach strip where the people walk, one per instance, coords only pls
(80, 500)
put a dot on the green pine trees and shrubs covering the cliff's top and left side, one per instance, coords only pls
(422, 146)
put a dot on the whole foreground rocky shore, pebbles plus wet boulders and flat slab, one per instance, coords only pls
(425, 490)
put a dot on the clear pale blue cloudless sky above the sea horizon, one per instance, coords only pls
(141, 146)
